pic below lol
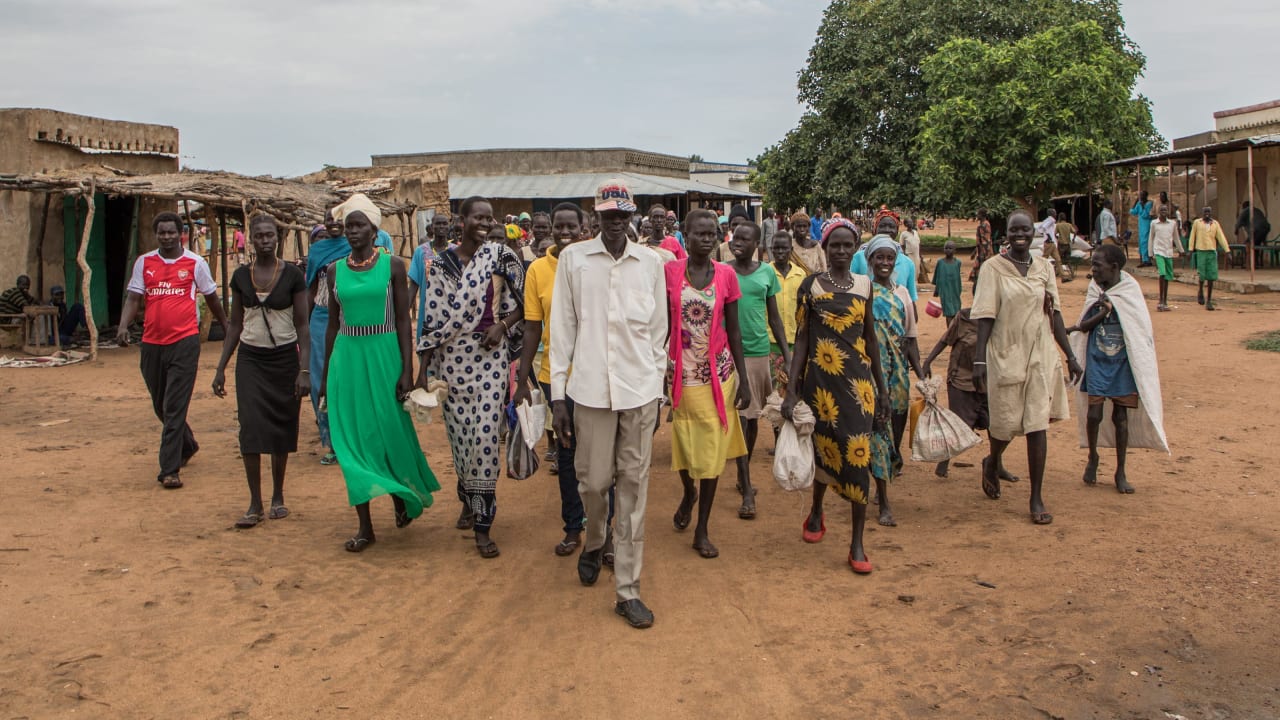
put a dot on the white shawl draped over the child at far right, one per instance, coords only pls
(1148, 425)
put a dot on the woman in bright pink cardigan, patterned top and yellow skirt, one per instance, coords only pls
(706, 354)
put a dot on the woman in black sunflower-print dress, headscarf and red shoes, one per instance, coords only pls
(836, 370)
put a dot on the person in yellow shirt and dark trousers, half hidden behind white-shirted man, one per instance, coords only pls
(540, 281)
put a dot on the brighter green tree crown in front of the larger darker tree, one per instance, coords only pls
(1028, 119)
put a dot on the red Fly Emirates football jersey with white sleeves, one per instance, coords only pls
(170, 289)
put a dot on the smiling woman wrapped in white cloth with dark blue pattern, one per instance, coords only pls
(472, 330)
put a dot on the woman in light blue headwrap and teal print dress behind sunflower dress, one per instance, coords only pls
(895, 335)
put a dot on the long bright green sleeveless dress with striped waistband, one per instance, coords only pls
(373, 435)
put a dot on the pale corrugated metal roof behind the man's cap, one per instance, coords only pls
(579, 185)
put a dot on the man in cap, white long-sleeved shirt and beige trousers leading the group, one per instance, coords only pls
(610, 325)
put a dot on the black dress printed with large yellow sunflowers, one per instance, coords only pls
(838, 385)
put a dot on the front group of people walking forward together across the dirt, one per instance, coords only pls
(610, 329)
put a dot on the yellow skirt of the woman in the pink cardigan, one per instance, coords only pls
(700, 444)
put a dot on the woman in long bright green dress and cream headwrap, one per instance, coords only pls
(369, 372)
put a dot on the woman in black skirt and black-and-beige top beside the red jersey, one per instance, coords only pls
(269, 325)
